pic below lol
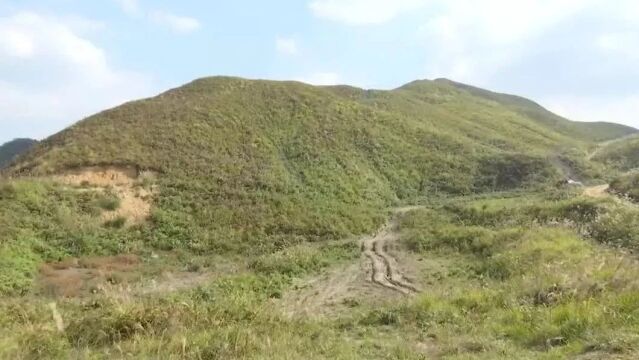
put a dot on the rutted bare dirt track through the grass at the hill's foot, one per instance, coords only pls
(377, 276)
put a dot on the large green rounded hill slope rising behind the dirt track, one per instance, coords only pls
(257, 165)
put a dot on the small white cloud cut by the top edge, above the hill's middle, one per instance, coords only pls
(362, 12)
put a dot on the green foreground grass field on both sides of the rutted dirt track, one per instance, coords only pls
(510, 276)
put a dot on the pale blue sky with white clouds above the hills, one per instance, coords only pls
(63, 60)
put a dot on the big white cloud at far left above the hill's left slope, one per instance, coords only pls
(52, 75)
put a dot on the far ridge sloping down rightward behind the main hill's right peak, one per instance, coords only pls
(589, 131)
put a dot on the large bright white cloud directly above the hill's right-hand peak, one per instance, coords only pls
(474, 41)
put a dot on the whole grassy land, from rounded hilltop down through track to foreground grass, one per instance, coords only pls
(244, 219)
